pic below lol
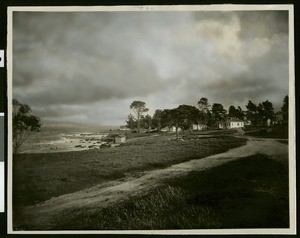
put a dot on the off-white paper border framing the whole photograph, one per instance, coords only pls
(222, 7)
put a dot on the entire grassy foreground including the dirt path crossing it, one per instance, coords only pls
(151, 171)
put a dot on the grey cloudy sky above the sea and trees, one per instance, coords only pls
(87, 67)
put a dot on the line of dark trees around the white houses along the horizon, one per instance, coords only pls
(184, 116)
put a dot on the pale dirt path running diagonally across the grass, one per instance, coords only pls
(116, 191)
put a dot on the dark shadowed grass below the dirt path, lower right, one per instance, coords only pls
(248, 193)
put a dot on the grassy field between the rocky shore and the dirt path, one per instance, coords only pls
(38, 177)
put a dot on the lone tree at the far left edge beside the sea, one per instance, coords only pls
(24, 123)
